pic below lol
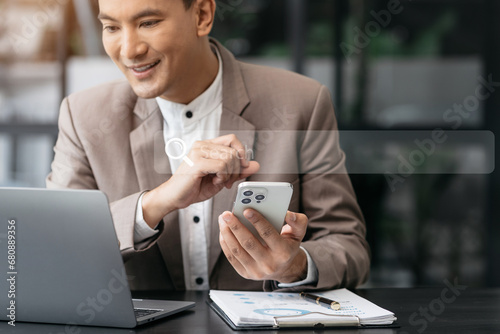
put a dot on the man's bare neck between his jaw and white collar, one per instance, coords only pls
(200, 76)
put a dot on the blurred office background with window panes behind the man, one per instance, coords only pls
(395, 69)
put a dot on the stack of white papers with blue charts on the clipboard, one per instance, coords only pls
(273, 308)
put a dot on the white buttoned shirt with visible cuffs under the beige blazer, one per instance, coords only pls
(199, 120)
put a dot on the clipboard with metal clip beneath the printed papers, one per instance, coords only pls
(299, 322)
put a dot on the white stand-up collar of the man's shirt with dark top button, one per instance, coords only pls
(203, 105)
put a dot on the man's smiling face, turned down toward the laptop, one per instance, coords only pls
(153, 42)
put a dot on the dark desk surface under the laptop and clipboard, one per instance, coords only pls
(424, 310)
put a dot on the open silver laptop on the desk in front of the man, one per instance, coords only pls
(60, 262)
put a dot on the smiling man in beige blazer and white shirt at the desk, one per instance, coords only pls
(172, 215)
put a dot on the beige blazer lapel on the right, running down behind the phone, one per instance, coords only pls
(235, 100)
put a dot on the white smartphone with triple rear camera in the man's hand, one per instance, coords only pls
(271, 199)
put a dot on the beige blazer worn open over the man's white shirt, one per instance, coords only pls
(109, 139)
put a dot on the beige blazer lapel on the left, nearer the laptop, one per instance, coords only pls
(148, 145)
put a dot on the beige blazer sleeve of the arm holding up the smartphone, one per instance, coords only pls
(335, 238)
